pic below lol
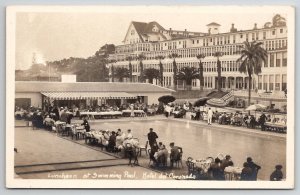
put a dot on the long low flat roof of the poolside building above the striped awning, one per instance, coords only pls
(33, 86)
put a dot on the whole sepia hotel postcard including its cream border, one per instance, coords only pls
(150, 97)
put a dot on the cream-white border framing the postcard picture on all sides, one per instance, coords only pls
(12, 182)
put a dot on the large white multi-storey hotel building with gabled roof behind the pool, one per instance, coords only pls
(152, 40)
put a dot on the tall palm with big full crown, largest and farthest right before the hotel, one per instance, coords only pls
(252, 56)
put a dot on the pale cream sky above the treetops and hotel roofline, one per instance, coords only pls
(56, 35)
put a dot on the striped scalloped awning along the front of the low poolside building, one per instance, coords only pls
(87, 95)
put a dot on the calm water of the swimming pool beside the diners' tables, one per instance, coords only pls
(201, 141)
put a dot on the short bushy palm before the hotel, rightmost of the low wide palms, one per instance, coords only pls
(187, 74)
